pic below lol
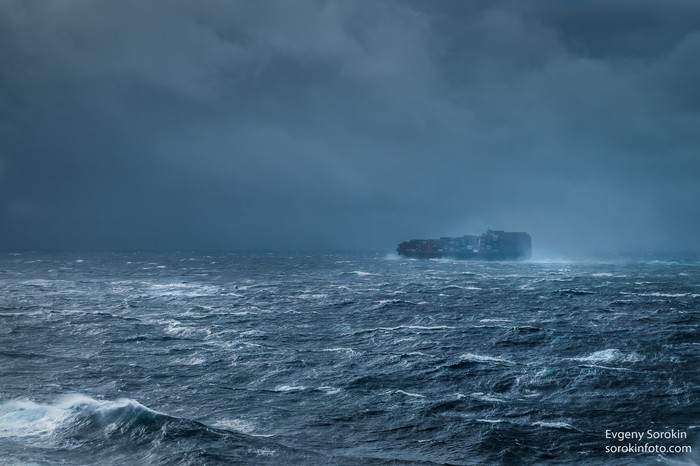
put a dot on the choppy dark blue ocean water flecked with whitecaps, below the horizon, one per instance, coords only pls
(232, 358)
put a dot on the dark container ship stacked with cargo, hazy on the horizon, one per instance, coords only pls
(492, 245)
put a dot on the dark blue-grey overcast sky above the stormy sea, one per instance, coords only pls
(349, 124)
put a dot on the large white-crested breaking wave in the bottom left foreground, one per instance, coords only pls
(109, 431)
